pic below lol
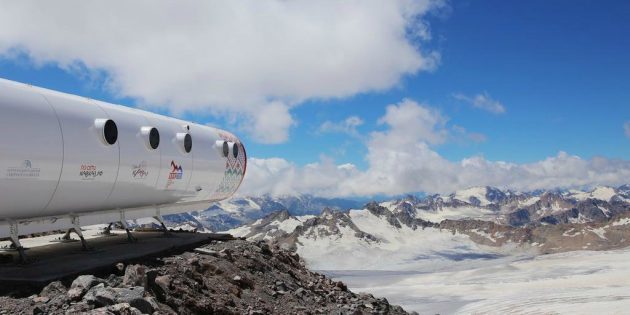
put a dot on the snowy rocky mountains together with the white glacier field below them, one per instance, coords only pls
(471, 250)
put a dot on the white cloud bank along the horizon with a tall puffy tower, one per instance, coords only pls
(401, 160)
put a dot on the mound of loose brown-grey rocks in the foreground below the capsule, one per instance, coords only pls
(231, 277)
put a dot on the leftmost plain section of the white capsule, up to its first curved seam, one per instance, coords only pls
(31, 161)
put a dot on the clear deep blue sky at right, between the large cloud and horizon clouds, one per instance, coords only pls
(561, 70)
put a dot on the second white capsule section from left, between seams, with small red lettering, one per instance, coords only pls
(90, 166)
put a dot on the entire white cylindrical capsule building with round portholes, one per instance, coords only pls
(67, 161)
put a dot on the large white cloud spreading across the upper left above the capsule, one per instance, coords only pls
(238, 58)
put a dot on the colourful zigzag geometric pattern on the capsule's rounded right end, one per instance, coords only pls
(234, 169)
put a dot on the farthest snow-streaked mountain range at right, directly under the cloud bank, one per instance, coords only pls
(518, 209)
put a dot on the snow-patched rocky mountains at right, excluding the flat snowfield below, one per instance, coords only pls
(480, 221)
